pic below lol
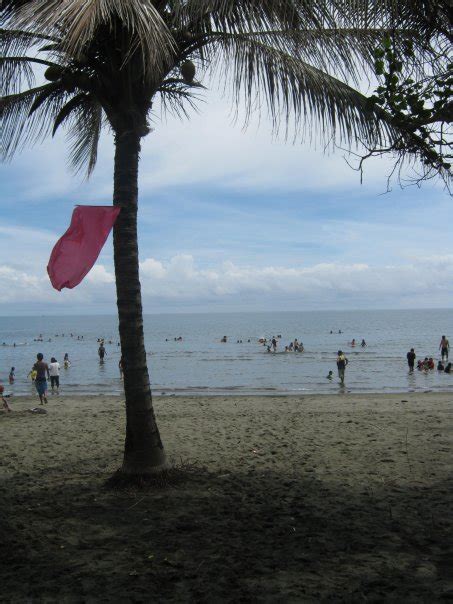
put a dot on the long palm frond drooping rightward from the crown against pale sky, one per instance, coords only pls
(294, 92)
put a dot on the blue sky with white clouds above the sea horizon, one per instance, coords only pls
(231, 220)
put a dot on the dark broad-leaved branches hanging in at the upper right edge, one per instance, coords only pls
(419, 106)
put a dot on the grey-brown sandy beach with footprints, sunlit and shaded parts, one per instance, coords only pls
(289, 499)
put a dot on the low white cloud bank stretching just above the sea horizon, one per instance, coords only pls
(180, 281)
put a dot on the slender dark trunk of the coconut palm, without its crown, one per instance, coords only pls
(143, 451)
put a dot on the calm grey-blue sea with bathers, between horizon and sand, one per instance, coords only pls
(201, 364)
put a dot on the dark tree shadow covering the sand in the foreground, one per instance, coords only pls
(256, 536)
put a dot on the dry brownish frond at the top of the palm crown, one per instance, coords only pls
(79, 21)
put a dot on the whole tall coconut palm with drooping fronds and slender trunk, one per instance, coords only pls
(107, 61)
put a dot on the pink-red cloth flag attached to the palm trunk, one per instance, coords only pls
(75, 253)
